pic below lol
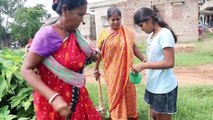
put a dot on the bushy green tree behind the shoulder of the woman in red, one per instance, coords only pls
(27, 22)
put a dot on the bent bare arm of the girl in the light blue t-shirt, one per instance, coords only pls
(167, 62)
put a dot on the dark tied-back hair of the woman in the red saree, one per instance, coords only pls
(71, 4)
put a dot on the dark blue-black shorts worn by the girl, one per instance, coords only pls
(162, 103)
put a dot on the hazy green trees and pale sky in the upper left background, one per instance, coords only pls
(18, 22)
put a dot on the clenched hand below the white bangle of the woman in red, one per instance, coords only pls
(61, 106)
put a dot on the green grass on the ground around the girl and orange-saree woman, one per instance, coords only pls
(194, 103)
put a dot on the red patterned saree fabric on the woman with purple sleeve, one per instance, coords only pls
(70, 56)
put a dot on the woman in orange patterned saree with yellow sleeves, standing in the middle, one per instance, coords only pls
(118, 49)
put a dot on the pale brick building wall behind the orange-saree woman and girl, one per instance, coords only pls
(182, 18)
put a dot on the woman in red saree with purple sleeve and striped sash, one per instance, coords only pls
(59, 53)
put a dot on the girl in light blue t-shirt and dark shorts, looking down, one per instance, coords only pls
(161, 90)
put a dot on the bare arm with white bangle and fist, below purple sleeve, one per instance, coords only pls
(31, 62)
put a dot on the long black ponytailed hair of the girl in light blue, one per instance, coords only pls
(144, 13)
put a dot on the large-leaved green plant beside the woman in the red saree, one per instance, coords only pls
(15, 95)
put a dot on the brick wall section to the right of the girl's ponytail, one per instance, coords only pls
(183, 19)
